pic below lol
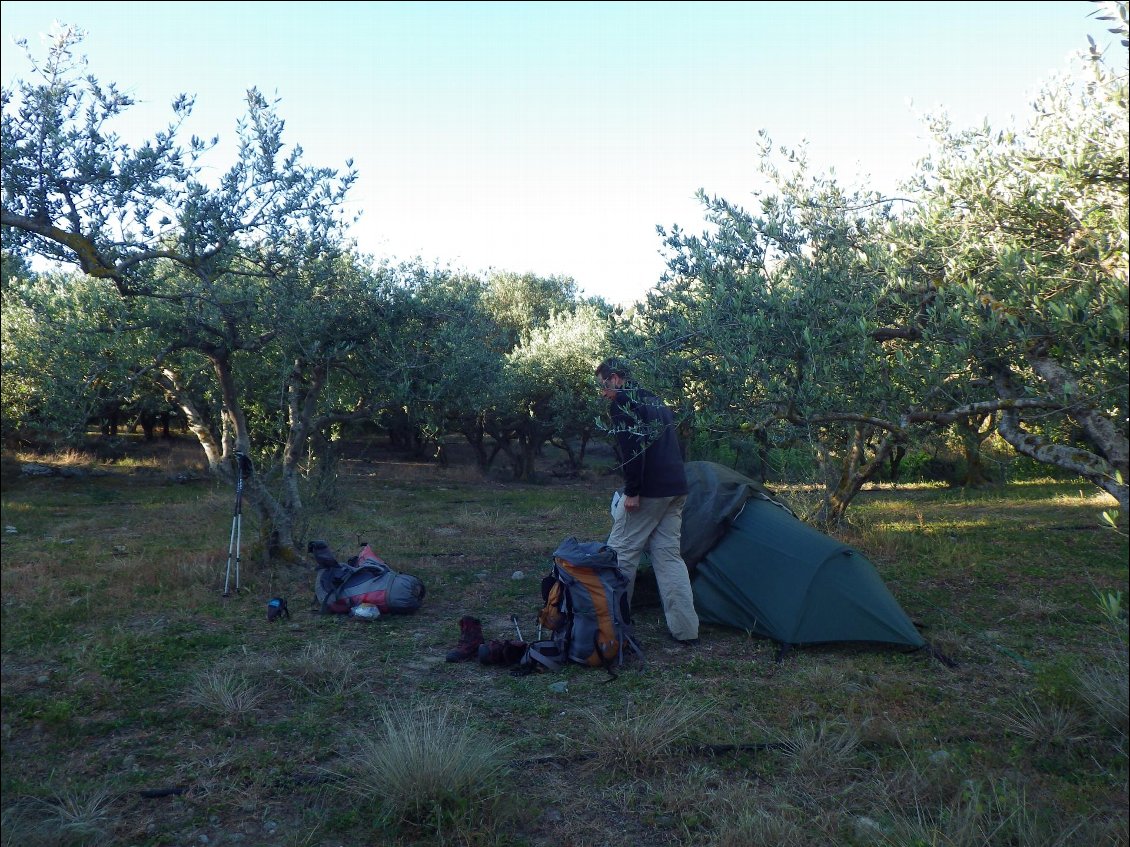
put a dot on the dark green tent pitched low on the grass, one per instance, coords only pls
(758, 567)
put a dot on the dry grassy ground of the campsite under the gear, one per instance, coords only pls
(141, 708)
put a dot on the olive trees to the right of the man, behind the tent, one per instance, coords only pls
(860, 326)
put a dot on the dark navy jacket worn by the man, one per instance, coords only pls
(648, 444)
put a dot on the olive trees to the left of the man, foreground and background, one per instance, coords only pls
(241, 301)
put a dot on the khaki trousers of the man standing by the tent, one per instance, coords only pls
(656, 527)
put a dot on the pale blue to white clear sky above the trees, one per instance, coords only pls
(554, 138)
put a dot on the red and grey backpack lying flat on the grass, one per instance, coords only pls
(366, 579)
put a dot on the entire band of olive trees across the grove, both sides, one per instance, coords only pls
(829, 319)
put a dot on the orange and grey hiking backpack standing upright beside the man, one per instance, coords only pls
(586, 610)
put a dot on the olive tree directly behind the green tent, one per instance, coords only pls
(773, 325)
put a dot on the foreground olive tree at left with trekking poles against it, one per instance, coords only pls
(222, 274)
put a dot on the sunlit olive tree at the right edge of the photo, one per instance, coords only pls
(1023, 234)
